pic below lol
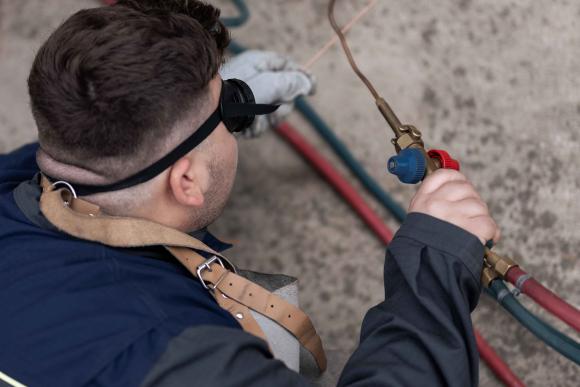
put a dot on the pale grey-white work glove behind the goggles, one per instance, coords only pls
(274, 79)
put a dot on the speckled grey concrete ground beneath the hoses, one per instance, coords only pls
(497, 83)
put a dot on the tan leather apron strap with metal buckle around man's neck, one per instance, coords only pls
(232, 292)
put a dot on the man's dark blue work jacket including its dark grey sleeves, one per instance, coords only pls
(76, 313)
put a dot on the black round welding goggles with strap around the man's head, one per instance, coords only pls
(237, 110)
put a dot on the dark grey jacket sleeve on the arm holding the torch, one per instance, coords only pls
(422, 334)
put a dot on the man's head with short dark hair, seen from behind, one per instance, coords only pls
(115, 89)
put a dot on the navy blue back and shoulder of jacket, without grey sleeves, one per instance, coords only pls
(73, 312)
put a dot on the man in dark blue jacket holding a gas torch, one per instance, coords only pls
(114, 91)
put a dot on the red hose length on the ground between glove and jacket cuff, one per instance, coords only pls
(339, 183)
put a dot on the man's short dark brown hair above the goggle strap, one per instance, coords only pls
(111, 80)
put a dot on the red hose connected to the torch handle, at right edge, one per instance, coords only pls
(544, 297)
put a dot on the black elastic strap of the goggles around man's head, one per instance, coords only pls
(225, 110)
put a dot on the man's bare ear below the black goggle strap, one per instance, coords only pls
(185, 184)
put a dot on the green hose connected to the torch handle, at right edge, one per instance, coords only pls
(542, 330)
